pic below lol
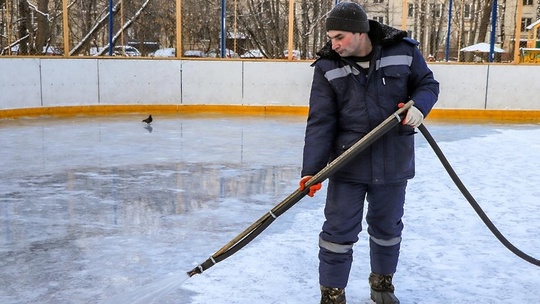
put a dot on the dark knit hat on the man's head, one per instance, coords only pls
(348, 17)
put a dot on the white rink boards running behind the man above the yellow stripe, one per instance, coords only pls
(36, 82)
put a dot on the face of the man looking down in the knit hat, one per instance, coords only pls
(349, 44)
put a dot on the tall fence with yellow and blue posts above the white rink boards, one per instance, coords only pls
(448, 30)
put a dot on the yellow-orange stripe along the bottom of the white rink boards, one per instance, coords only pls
(277, 110)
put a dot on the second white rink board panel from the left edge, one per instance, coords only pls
(69, 82)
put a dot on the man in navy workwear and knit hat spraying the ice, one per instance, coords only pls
(362, 75)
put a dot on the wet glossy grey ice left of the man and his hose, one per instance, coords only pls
(92, 207)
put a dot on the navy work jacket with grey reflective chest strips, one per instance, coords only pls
(346, 103)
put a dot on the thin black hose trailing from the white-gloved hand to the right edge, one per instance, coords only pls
(473, 202)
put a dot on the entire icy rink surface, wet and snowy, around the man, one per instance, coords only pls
(97, 207)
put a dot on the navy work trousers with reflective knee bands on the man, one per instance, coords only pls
(343, 212)
